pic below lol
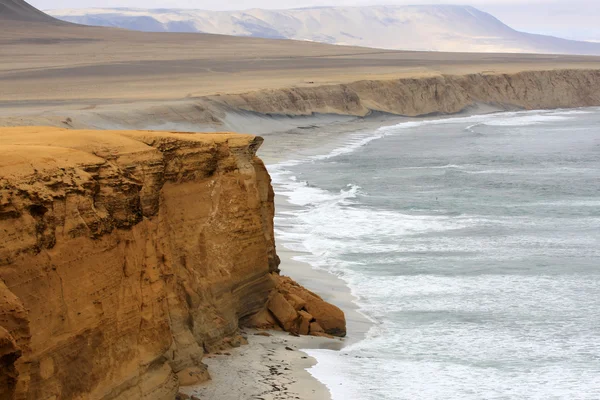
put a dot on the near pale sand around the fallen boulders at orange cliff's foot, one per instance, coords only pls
(274, 367)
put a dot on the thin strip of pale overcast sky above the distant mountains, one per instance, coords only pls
(572, 19)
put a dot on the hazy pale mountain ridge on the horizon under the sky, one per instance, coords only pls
(426, 28)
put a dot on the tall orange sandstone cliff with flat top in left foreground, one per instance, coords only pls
(125, 257)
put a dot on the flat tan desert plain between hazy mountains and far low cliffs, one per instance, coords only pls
(51, 71)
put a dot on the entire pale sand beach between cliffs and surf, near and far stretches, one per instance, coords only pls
(274, 367)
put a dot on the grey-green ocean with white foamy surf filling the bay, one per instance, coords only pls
(471, 243)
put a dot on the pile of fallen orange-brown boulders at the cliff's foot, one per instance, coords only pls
(295, 309)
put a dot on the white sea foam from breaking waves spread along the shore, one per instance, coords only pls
(402, 359)
